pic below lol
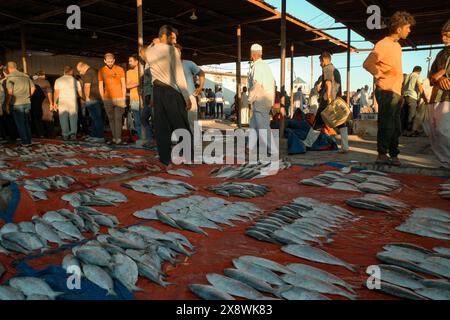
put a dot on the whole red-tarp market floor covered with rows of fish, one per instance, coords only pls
(131, 231)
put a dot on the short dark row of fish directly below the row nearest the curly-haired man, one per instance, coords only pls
(377, 202)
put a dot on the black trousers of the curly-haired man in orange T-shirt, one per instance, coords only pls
(389, 123)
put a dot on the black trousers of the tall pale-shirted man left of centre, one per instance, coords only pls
(170, 114)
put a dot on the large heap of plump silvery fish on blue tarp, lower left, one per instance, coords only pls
(126, 254)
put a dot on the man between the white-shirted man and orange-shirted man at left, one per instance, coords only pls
(93, 100)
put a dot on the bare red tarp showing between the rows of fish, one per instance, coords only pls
(356, 243)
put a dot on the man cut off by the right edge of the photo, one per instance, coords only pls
(440, 101)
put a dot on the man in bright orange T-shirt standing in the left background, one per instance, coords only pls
(113, 90)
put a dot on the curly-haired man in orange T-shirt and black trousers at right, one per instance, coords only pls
(385, 64)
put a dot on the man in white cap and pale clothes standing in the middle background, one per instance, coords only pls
(261, 88)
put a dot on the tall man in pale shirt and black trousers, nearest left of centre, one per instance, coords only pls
(171, 97)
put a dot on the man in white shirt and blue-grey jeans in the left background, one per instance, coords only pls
(67, 89)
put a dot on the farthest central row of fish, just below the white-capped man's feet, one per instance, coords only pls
(250, 171)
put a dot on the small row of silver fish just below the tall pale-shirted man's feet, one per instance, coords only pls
(160, 187)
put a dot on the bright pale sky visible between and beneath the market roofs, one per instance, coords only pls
(302, 65)
